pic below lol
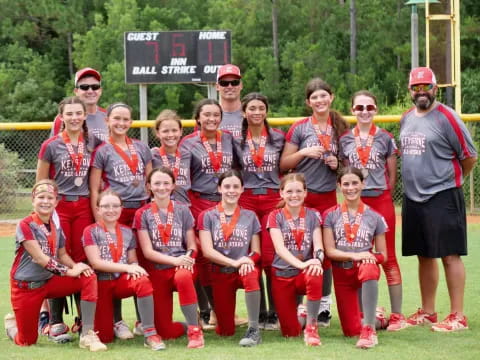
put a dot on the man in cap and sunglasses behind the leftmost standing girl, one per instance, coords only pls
(88, 87)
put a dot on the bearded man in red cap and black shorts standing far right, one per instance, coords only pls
(437, 153)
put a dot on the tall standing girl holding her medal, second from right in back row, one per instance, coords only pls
(312, 149)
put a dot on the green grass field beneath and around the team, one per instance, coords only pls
(411, 344)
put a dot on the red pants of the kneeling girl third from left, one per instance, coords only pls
(165, 282)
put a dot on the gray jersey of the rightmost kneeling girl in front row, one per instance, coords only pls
(371, 225)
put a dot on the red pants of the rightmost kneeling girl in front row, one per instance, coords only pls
(346, 283)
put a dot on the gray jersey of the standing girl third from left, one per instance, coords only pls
(183, 179)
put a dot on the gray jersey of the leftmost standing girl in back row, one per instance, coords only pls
(62, 168)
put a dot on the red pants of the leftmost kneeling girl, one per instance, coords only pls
(26, 303)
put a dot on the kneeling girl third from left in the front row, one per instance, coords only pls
(166, 235)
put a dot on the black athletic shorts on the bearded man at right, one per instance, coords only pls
(435, 228)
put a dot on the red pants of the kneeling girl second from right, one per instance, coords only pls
(285, 291)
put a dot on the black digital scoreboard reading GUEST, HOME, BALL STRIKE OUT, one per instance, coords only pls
(175, 56)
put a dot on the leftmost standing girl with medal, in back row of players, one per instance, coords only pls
(66, 158)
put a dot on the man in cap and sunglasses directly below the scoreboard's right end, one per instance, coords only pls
(229, 85)
